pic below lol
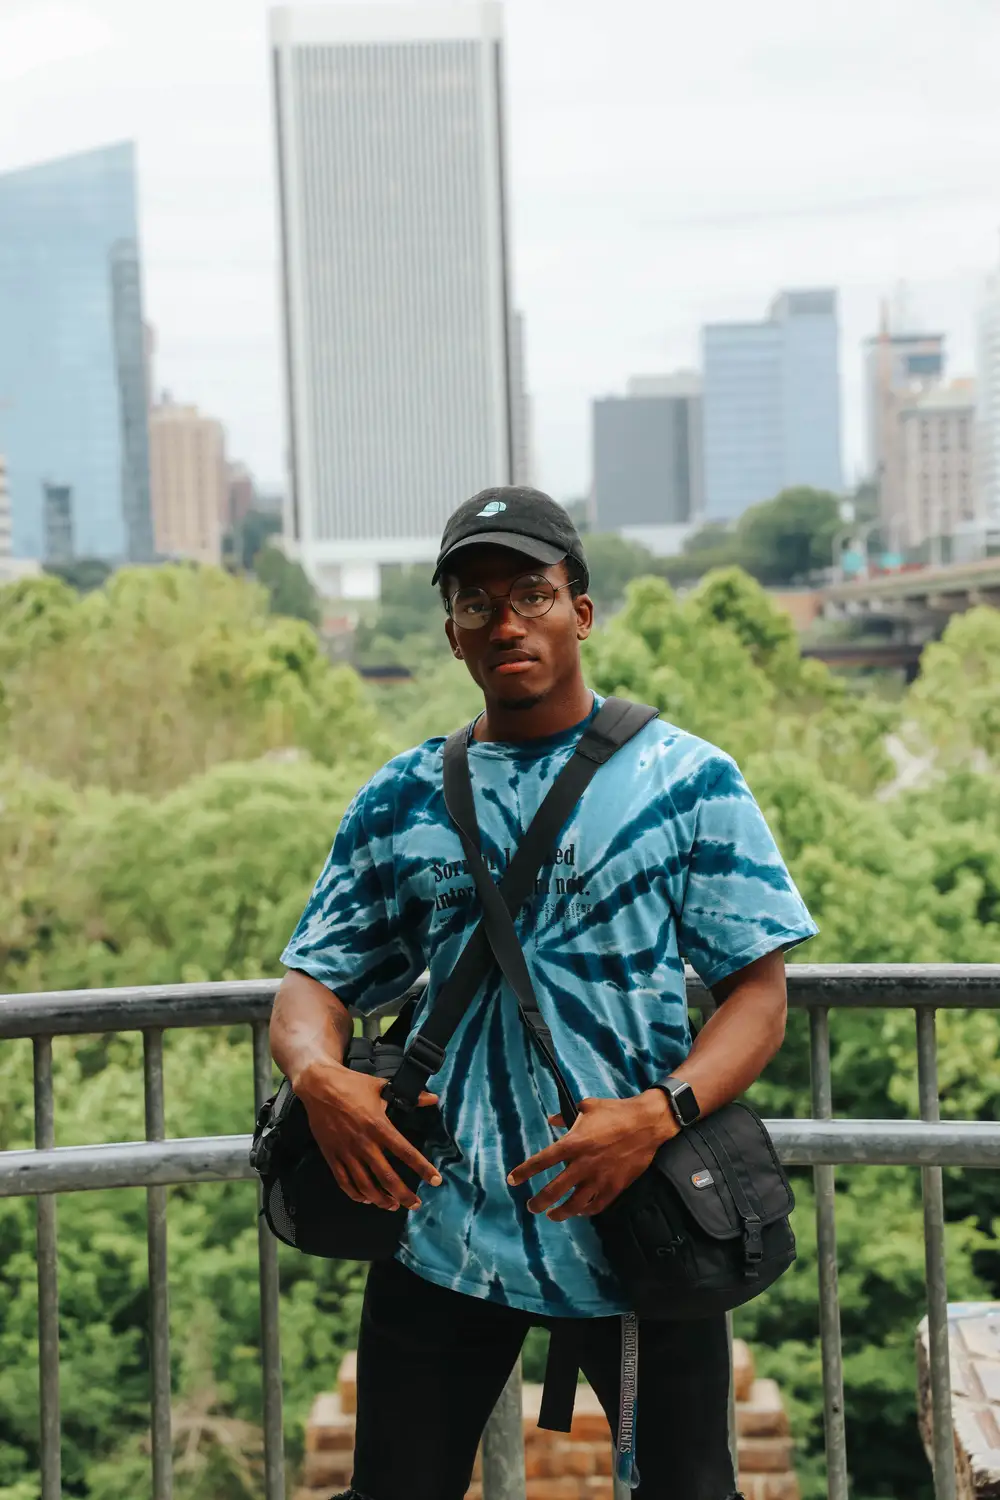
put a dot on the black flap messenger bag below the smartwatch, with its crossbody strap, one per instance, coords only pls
(707, 1226)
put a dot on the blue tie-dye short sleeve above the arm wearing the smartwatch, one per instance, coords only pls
(740, 901)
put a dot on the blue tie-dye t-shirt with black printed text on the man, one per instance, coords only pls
(666, 857)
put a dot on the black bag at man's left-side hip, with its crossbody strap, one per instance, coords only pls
(302, 1201)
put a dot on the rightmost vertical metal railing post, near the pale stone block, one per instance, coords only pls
(936, 1262)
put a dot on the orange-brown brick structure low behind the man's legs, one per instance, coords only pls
(567, 1466)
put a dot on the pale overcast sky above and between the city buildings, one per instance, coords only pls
(671, 164)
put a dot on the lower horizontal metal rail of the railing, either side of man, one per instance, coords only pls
(224, 1159)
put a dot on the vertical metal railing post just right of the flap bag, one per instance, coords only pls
(831, 1352)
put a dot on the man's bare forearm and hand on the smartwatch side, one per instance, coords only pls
(614, 1141)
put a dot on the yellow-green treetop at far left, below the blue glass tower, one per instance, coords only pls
(164, 673)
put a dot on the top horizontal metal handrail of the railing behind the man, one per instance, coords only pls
(852, 986)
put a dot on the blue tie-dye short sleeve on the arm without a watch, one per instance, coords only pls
(350, 935)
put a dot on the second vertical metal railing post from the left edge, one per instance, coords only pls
(160, 1277)
